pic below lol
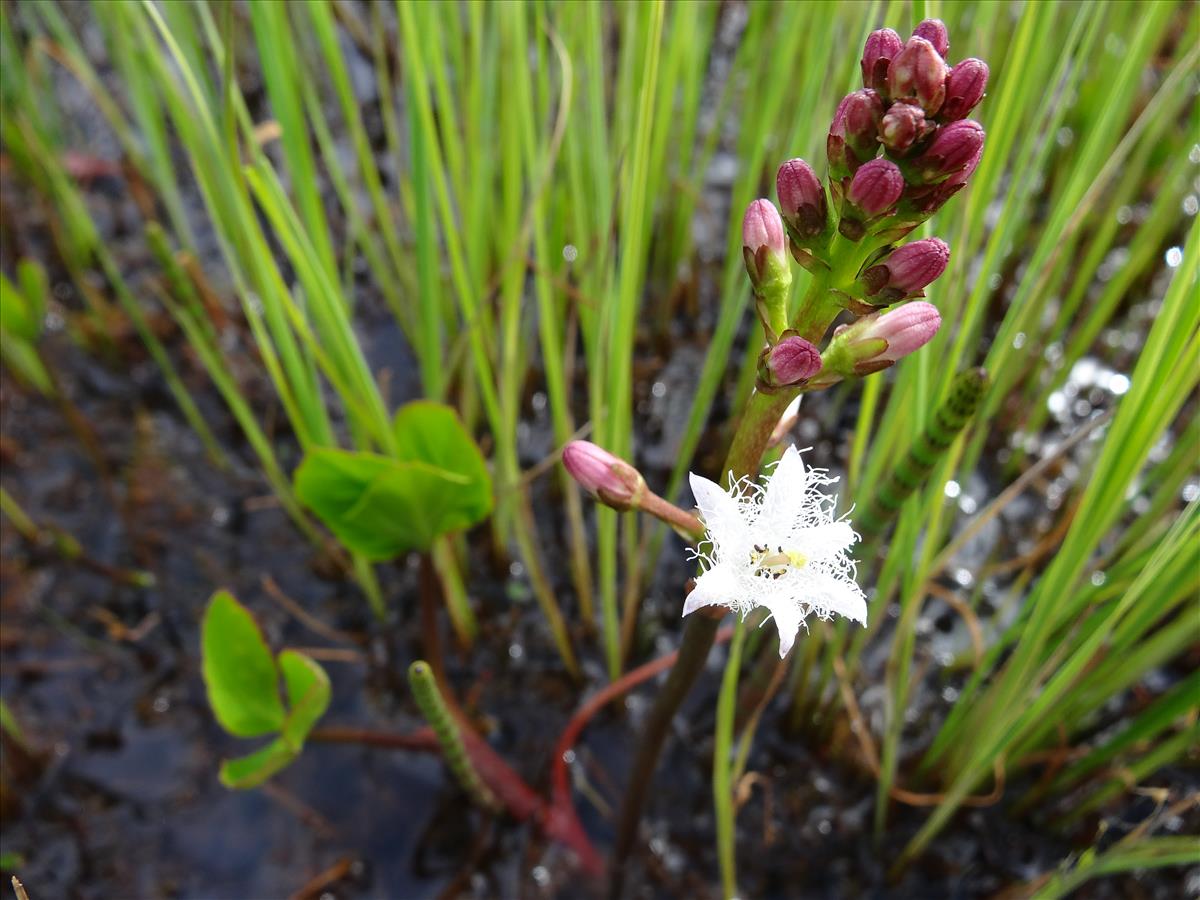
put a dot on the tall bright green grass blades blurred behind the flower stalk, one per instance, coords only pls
(537, 193)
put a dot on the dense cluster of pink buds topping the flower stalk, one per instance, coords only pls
(898, 151)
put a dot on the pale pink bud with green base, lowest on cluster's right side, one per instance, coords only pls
(877, 343)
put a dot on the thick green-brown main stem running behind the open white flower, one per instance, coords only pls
(746, 453)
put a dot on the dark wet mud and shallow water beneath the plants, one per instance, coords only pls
(118, 796)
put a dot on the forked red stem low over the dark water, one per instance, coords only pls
(556, 818)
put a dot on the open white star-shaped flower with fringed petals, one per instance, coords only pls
(778, 547)
